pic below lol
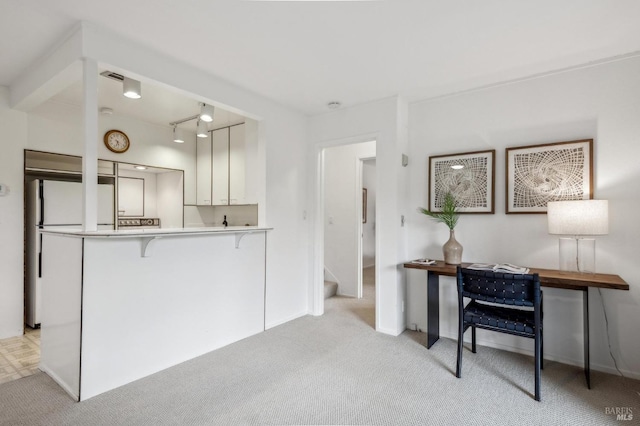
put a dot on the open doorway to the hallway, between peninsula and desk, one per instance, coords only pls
(348, 215)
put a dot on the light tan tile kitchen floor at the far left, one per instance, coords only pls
(19, 356)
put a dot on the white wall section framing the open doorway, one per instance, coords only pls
(385, 122)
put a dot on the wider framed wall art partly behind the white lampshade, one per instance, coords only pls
(537, 174)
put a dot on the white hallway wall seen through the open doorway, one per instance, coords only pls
(342, 212)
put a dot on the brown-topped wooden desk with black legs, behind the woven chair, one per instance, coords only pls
(548, 278)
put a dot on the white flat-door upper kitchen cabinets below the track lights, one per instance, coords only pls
(222, 174)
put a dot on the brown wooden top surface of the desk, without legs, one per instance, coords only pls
(548, 277)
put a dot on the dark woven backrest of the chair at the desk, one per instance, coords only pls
(497, 287)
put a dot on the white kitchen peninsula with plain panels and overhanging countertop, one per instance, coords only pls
(121, 305)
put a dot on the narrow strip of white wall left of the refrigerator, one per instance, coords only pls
(13, 126)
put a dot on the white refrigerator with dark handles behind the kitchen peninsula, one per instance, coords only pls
(55, 204)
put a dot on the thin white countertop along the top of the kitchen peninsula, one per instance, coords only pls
(169, 232)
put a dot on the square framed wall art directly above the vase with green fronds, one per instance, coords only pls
(469, 176)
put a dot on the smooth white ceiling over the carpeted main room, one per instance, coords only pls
(305, 54)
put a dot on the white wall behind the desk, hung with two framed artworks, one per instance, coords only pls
(601, 102)
